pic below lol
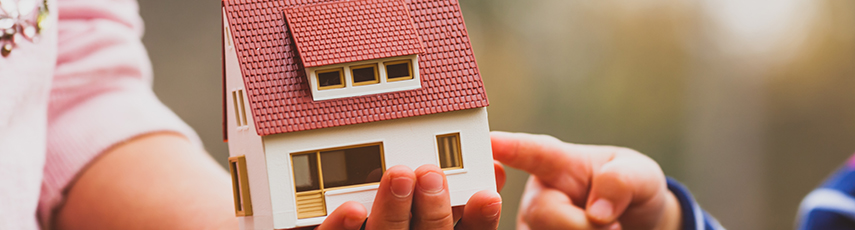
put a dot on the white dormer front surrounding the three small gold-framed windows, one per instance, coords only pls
(349, 90)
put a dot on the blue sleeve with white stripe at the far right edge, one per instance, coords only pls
(832, 205)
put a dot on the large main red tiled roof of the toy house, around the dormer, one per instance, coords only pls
(279, 94)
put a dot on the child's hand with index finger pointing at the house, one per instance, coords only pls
(586, 187)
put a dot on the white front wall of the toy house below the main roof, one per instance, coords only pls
(407, 141)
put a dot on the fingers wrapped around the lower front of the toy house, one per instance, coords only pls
(419, 199)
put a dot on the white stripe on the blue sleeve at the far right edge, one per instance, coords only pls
(827, 199)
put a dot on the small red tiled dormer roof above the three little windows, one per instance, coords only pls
(351, 31)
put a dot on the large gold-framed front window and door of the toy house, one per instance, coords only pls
(319, 171)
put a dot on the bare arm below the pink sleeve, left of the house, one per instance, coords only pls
(156, 181)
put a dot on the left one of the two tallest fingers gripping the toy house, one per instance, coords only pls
(391, 209)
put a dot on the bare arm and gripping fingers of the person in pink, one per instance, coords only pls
(162, 181)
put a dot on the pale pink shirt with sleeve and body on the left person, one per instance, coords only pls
(83, 87)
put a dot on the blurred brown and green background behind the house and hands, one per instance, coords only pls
(751, 103)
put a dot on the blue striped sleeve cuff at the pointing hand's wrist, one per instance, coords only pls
(694, 218)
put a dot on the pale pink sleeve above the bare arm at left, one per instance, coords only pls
(101, 93)
